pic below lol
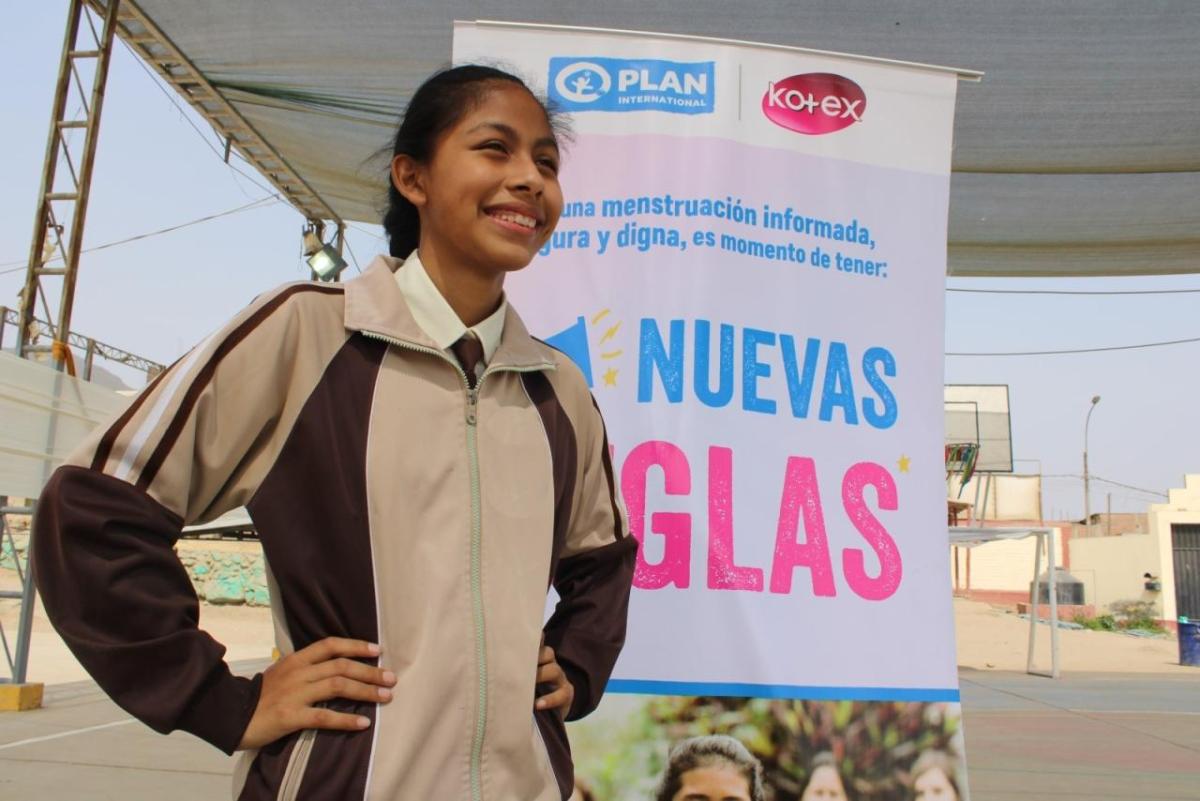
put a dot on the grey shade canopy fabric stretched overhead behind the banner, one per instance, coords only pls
(1078, 155)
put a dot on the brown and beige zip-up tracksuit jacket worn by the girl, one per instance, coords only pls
(394, 505)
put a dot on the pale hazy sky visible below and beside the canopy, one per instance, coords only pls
(157, 168)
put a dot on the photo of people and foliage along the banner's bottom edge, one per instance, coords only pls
(695, 749)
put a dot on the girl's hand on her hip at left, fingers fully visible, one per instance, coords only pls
(325, 671)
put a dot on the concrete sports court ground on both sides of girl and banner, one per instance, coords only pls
(1087, 737)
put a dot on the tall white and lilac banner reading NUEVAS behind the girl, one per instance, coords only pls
(749, 270)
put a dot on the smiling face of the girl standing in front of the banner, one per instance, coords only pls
(489, 198)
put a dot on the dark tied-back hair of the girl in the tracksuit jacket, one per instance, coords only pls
(435, 109)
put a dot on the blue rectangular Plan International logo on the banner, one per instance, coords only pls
(603, 85)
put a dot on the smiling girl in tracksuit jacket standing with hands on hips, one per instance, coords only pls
(419, 471)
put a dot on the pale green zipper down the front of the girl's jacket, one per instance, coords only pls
(477, 538)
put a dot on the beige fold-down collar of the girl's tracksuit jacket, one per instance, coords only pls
(375, 305)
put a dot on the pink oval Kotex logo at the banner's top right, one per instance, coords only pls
(814, 104)
